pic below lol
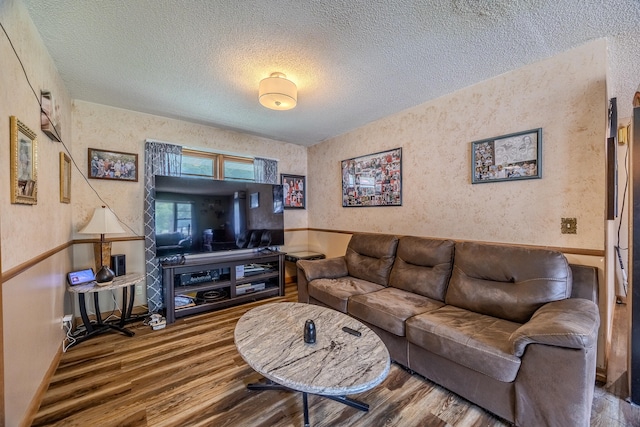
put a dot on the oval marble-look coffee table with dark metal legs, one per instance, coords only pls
(270, 339)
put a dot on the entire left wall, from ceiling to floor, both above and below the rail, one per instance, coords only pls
(32, 300)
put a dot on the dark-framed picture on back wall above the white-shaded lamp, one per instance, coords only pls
(113, 165)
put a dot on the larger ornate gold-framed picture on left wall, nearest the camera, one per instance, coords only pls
(24, 163)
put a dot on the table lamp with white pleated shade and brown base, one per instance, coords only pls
(103, 221)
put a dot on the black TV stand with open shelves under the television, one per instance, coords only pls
(216, 282)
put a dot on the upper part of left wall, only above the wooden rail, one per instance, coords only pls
(23, 225)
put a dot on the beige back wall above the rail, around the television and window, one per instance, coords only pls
(102, 127)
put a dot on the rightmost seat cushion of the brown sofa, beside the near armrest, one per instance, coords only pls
(473, 340)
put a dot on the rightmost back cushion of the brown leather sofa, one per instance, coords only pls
(507, 282)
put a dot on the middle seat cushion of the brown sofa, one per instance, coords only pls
(389, 308)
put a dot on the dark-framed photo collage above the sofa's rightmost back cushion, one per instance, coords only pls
(507, 158)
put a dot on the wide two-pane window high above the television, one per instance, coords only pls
(217, 166)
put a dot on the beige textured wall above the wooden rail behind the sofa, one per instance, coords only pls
(565, 95)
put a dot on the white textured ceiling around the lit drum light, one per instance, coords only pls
(353, 61)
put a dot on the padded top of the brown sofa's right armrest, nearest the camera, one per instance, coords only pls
(569, 323)
